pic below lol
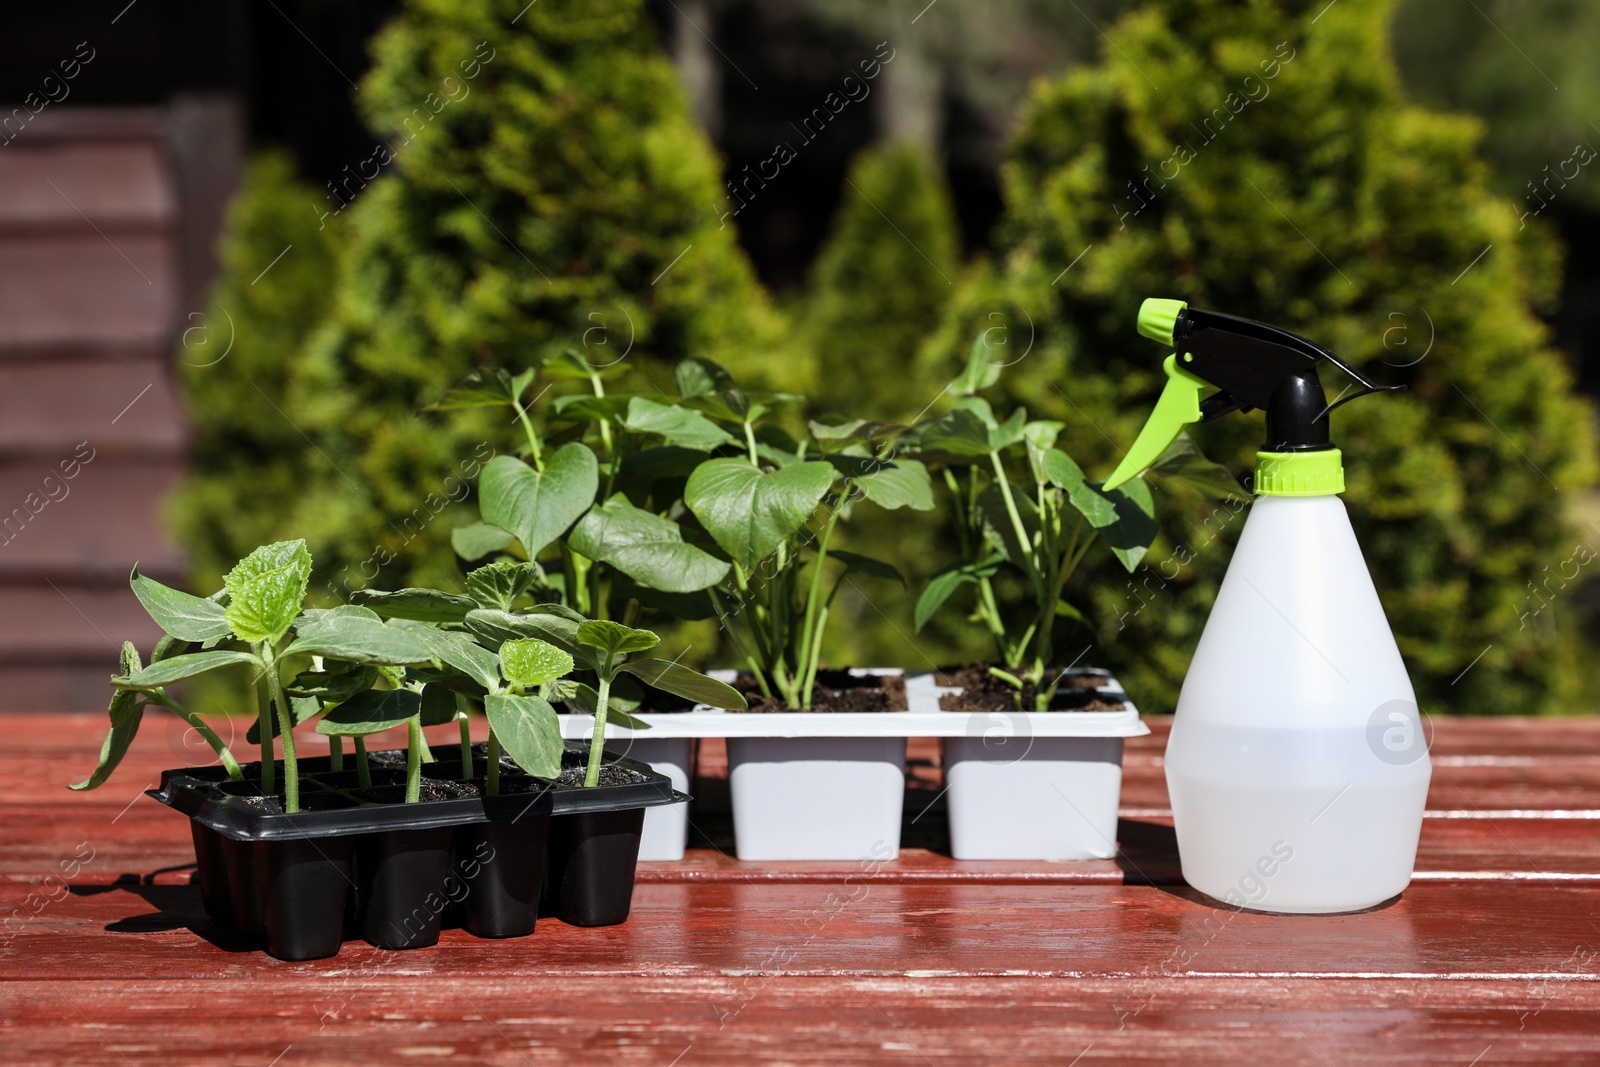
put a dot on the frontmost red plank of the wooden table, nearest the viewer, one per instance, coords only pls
(737, 1020)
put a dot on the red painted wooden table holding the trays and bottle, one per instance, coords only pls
(1490, 957)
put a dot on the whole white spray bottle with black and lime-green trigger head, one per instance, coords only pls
(1297, 764)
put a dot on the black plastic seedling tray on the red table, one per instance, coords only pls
(358, 863)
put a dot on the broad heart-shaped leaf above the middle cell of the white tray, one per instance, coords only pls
(750, 511)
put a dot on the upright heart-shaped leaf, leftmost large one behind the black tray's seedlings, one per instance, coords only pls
(540, 506)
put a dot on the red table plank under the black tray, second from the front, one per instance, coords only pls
(858, 929)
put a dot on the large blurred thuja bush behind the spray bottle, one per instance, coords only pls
(1278, 174)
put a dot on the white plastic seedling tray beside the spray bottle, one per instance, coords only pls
(1062, 769)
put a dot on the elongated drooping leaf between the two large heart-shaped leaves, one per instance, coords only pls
(647, 548)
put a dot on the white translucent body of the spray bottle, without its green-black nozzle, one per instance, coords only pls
(1298, 764)
